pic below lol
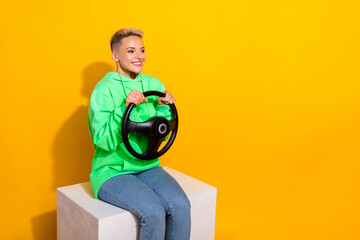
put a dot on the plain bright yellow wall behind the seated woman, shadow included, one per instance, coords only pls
(267, 94)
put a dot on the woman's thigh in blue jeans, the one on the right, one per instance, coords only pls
(165, 186)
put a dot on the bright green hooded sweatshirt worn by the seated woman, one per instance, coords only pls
(107, 107)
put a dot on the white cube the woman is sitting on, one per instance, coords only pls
(82, 217)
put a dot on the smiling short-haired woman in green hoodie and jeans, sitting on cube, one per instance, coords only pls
(118, 178)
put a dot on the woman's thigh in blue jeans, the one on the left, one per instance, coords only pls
(128, 192)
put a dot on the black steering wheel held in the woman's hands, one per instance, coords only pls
(155, 130)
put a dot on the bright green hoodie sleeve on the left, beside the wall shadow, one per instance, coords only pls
(105, 121)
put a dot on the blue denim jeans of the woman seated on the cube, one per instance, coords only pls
(155, 198)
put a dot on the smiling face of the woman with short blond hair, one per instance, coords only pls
(129, 56)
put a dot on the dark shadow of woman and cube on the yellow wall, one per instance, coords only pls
(72, 150)
